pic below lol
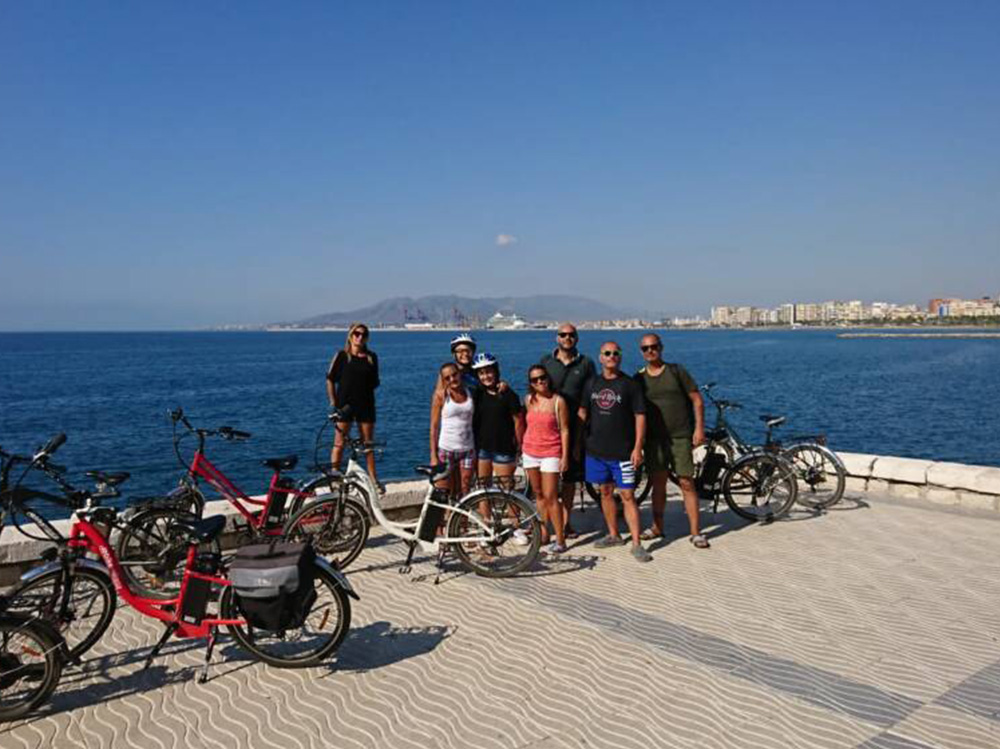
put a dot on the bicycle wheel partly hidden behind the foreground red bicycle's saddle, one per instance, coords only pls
(152, 550)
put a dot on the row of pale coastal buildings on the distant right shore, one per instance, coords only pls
(854, 312)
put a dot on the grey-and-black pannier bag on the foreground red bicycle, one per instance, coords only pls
(274, 584)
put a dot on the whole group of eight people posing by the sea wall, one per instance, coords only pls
(578, 422)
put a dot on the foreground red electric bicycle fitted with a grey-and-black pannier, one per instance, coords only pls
(71, 591)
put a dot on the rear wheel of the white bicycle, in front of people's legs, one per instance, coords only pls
(497, 550)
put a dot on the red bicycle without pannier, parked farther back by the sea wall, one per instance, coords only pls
(154, 543)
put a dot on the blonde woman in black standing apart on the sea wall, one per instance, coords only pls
(350, 382)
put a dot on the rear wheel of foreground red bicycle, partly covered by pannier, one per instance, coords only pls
(321, 633)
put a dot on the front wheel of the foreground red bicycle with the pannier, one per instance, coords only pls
(89, 609)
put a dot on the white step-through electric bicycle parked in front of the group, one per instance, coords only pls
(492, 531)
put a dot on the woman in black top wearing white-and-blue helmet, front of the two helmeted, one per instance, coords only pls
(498, 423)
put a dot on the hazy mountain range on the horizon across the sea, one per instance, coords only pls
(468, 312)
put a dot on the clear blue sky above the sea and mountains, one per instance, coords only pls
(178, 164)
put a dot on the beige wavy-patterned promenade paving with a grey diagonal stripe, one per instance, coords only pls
(876, 626)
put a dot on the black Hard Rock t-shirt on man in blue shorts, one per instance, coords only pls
(611, 408)
